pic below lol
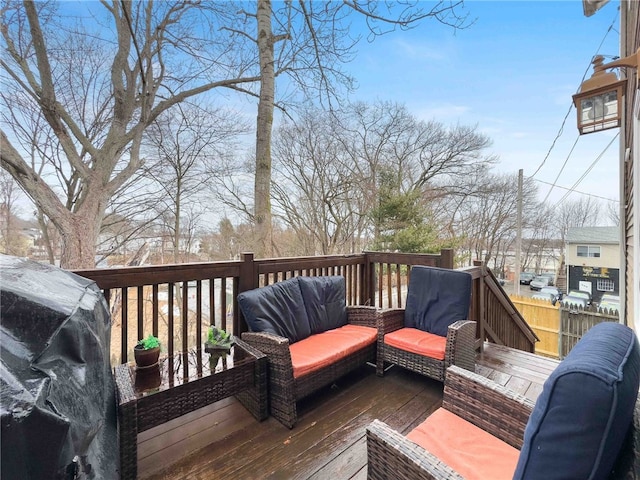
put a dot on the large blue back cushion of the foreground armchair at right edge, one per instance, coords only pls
(585, 410)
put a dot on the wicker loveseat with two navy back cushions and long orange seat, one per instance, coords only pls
(309, 335)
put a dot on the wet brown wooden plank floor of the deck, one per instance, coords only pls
(329, 440)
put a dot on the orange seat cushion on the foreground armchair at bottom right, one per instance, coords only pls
(469, 450)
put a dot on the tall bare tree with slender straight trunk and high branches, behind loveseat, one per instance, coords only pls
(307, 42)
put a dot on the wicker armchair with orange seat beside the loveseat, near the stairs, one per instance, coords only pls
(438, 302)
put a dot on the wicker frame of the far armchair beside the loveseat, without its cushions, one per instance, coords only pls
(460, 349)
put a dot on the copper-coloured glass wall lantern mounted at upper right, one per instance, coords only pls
(599, 101)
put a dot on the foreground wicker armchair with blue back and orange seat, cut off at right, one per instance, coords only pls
(585, 424)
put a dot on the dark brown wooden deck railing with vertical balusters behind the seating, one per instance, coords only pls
(177, 303)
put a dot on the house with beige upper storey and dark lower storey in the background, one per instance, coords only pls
(593, 260)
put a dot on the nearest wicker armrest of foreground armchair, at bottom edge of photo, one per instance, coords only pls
(391, 456)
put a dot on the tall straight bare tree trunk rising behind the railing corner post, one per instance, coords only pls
(262, 187)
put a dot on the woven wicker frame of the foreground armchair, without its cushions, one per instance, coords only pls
(490, 406)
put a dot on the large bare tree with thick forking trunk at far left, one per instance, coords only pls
(97, 117)
